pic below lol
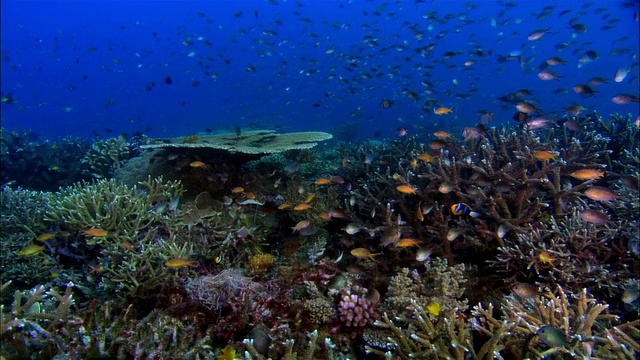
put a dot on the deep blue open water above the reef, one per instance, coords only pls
(81, 68)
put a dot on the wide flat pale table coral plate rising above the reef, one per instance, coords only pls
(248, 142)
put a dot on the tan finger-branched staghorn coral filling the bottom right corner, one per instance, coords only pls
(588, 330)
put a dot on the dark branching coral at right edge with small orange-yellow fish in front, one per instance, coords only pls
(571, 253)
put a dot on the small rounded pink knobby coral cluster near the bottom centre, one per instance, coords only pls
(355, 309)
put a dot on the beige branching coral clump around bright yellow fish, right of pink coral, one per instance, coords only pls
(416, 332)
